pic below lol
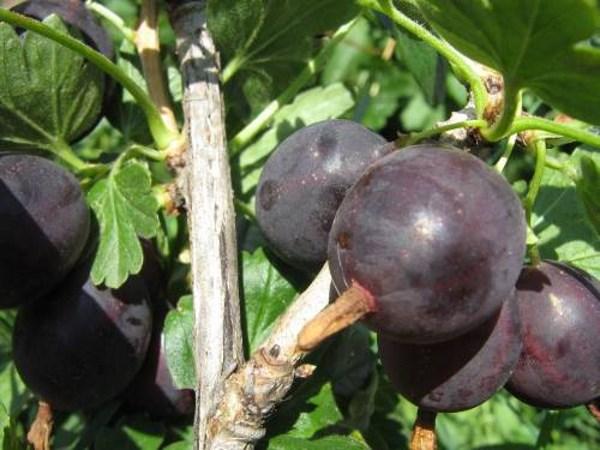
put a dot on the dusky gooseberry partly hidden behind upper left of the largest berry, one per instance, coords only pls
(303, 183)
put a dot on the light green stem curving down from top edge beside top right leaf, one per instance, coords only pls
(463, 70)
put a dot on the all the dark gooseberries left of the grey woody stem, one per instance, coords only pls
(76, 345)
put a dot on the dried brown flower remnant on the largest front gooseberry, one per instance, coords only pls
(351, 306)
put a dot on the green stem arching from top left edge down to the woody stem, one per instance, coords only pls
(162, 135)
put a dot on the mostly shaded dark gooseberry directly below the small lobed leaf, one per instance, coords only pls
(82, 345)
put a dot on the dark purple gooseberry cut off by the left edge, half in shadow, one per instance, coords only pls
(44, 227)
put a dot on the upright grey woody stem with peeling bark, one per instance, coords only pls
(209, 201)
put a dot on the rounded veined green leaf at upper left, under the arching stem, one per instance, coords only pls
(48, 93)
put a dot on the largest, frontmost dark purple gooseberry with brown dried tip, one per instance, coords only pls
(437, 239)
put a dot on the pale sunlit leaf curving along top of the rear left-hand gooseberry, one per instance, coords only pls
(308, 107)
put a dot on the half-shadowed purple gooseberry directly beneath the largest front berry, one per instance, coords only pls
(458, 374)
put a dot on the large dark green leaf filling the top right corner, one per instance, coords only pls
(535, 44)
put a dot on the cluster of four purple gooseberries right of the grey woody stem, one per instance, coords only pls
(433, 242)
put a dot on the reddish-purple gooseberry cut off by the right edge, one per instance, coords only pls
(559, 366)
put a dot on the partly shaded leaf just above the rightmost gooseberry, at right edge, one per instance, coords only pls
(561, 222)
